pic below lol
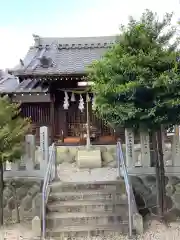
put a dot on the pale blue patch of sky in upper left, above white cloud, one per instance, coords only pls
(31, 12)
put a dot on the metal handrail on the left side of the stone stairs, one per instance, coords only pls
(49, 176)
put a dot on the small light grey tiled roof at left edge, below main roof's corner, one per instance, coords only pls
(8, 83)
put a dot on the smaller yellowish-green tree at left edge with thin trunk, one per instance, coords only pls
(12, 131)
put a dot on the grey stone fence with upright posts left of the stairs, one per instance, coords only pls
(33, 163)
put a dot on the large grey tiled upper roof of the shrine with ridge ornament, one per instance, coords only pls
(62, 55)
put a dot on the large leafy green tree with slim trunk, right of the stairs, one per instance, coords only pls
(138, 82)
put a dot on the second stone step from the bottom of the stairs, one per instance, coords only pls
(55, 220)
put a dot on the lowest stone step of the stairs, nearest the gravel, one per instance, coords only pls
(88, 230)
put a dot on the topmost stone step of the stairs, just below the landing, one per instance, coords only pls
(81, 186)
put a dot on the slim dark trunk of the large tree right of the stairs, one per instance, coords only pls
(158, 179)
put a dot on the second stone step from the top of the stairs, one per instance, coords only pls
(103, 194)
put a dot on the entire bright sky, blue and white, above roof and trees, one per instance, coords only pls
(19, 19)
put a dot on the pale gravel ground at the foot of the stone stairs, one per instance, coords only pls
(155, 230)
